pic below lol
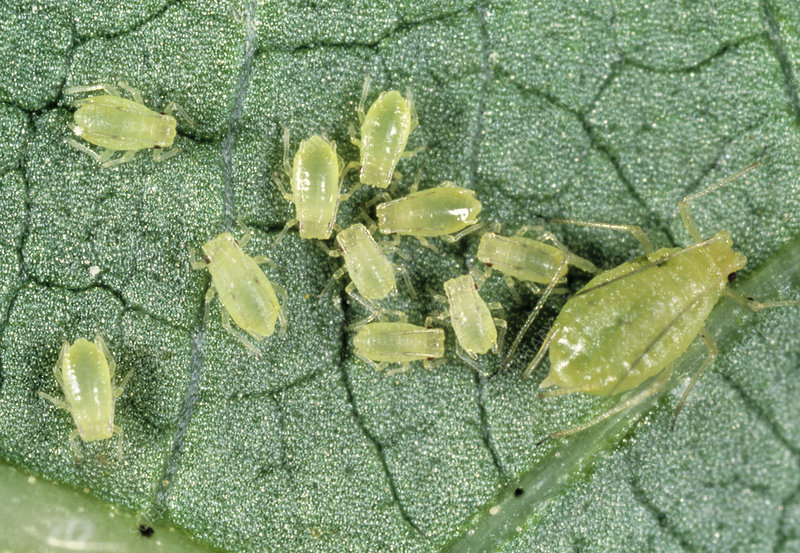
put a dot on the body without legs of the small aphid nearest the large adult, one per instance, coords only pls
(520, 257)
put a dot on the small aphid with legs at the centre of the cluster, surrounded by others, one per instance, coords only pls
(371, 273)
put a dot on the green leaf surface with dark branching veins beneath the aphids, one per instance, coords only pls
(588, 110)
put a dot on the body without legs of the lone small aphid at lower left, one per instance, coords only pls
(87, 390)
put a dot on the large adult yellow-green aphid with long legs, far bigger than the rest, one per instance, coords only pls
(630, 323)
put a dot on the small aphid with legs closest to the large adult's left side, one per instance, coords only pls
(532, 262)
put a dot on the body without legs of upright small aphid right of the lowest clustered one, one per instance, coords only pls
(470, 316)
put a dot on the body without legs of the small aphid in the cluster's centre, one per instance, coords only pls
(369, 269)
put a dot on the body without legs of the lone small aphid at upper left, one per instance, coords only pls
(120, 124)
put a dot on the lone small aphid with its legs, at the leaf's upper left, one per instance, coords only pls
(119, 124)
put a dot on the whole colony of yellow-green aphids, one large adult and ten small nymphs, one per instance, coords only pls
(622, 330)
